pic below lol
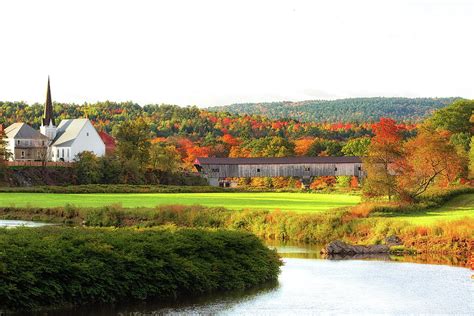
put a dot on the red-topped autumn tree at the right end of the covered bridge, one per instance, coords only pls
(384, 152)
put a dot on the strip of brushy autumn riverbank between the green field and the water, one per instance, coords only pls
(443, 238)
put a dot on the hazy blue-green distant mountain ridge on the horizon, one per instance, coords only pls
(343, 110)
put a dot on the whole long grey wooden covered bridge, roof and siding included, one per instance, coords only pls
(216, 170)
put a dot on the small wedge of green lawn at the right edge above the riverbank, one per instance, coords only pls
(458, 208)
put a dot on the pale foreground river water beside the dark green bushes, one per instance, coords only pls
(326, 286)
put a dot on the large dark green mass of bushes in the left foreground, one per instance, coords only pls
(53, 266)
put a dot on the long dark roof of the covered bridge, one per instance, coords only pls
(281, 160)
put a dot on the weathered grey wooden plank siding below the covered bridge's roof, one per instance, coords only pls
(282, 170)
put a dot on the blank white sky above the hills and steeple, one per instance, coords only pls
(219, 52)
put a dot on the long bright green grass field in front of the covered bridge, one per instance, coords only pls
(300, 202)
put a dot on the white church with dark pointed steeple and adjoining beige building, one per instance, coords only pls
(53, 143)
